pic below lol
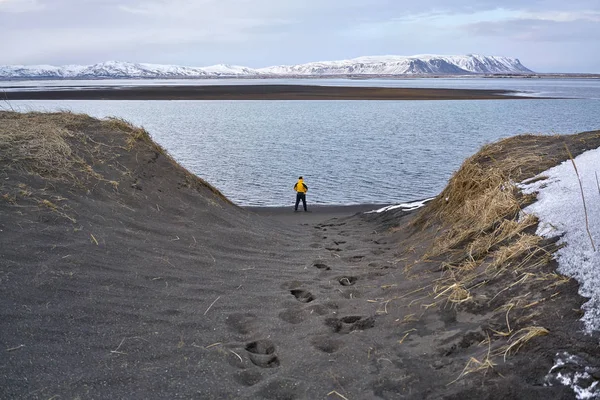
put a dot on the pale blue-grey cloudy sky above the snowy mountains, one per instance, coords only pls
(547, 36)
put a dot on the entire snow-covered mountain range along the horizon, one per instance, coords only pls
(378, 65)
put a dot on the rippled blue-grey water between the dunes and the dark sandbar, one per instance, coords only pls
(349, 152)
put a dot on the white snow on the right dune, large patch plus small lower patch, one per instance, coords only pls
(560, 209)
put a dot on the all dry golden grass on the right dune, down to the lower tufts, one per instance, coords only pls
(485, 245)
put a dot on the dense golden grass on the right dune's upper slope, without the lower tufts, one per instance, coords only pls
(480, 218)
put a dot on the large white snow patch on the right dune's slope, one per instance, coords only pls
(560, 210)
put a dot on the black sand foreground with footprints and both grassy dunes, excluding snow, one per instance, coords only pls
(123, 276)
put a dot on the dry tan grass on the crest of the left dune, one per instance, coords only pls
(55, 146)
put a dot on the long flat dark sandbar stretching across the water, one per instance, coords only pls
(263, 92)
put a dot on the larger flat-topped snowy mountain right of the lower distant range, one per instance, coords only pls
(400, 65)
